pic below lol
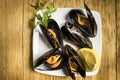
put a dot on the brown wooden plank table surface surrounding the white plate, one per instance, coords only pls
(16, 39)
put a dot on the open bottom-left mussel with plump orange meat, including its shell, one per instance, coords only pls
(54, 59)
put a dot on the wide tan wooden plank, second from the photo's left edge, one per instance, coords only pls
(14, 58)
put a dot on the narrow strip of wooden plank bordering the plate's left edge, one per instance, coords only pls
(27, 43)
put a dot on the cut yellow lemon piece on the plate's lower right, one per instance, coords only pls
(90, 58)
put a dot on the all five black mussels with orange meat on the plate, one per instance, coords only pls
(77, 30)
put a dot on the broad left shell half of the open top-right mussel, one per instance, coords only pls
(86, 28)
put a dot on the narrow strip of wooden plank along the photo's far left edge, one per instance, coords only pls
(3, 26)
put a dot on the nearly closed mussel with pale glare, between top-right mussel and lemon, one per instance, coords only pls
(74, 34)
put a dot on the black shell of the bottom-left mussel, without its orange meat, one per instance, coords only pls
(42, 59)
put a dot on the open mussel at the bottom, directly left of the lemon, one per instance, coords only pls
(75, 63)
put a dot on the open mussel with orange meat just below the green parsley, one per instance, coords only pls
(52, 34)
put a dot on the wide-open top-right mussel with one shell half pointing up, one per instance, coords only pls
(86, 24)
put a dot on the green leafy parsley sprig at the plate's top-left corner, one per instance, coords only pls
(43, 18)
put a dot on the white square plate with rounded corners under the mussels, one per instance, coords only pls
(40, 45)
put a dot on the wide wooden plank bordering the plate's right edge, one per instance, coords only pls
(106, 8)
